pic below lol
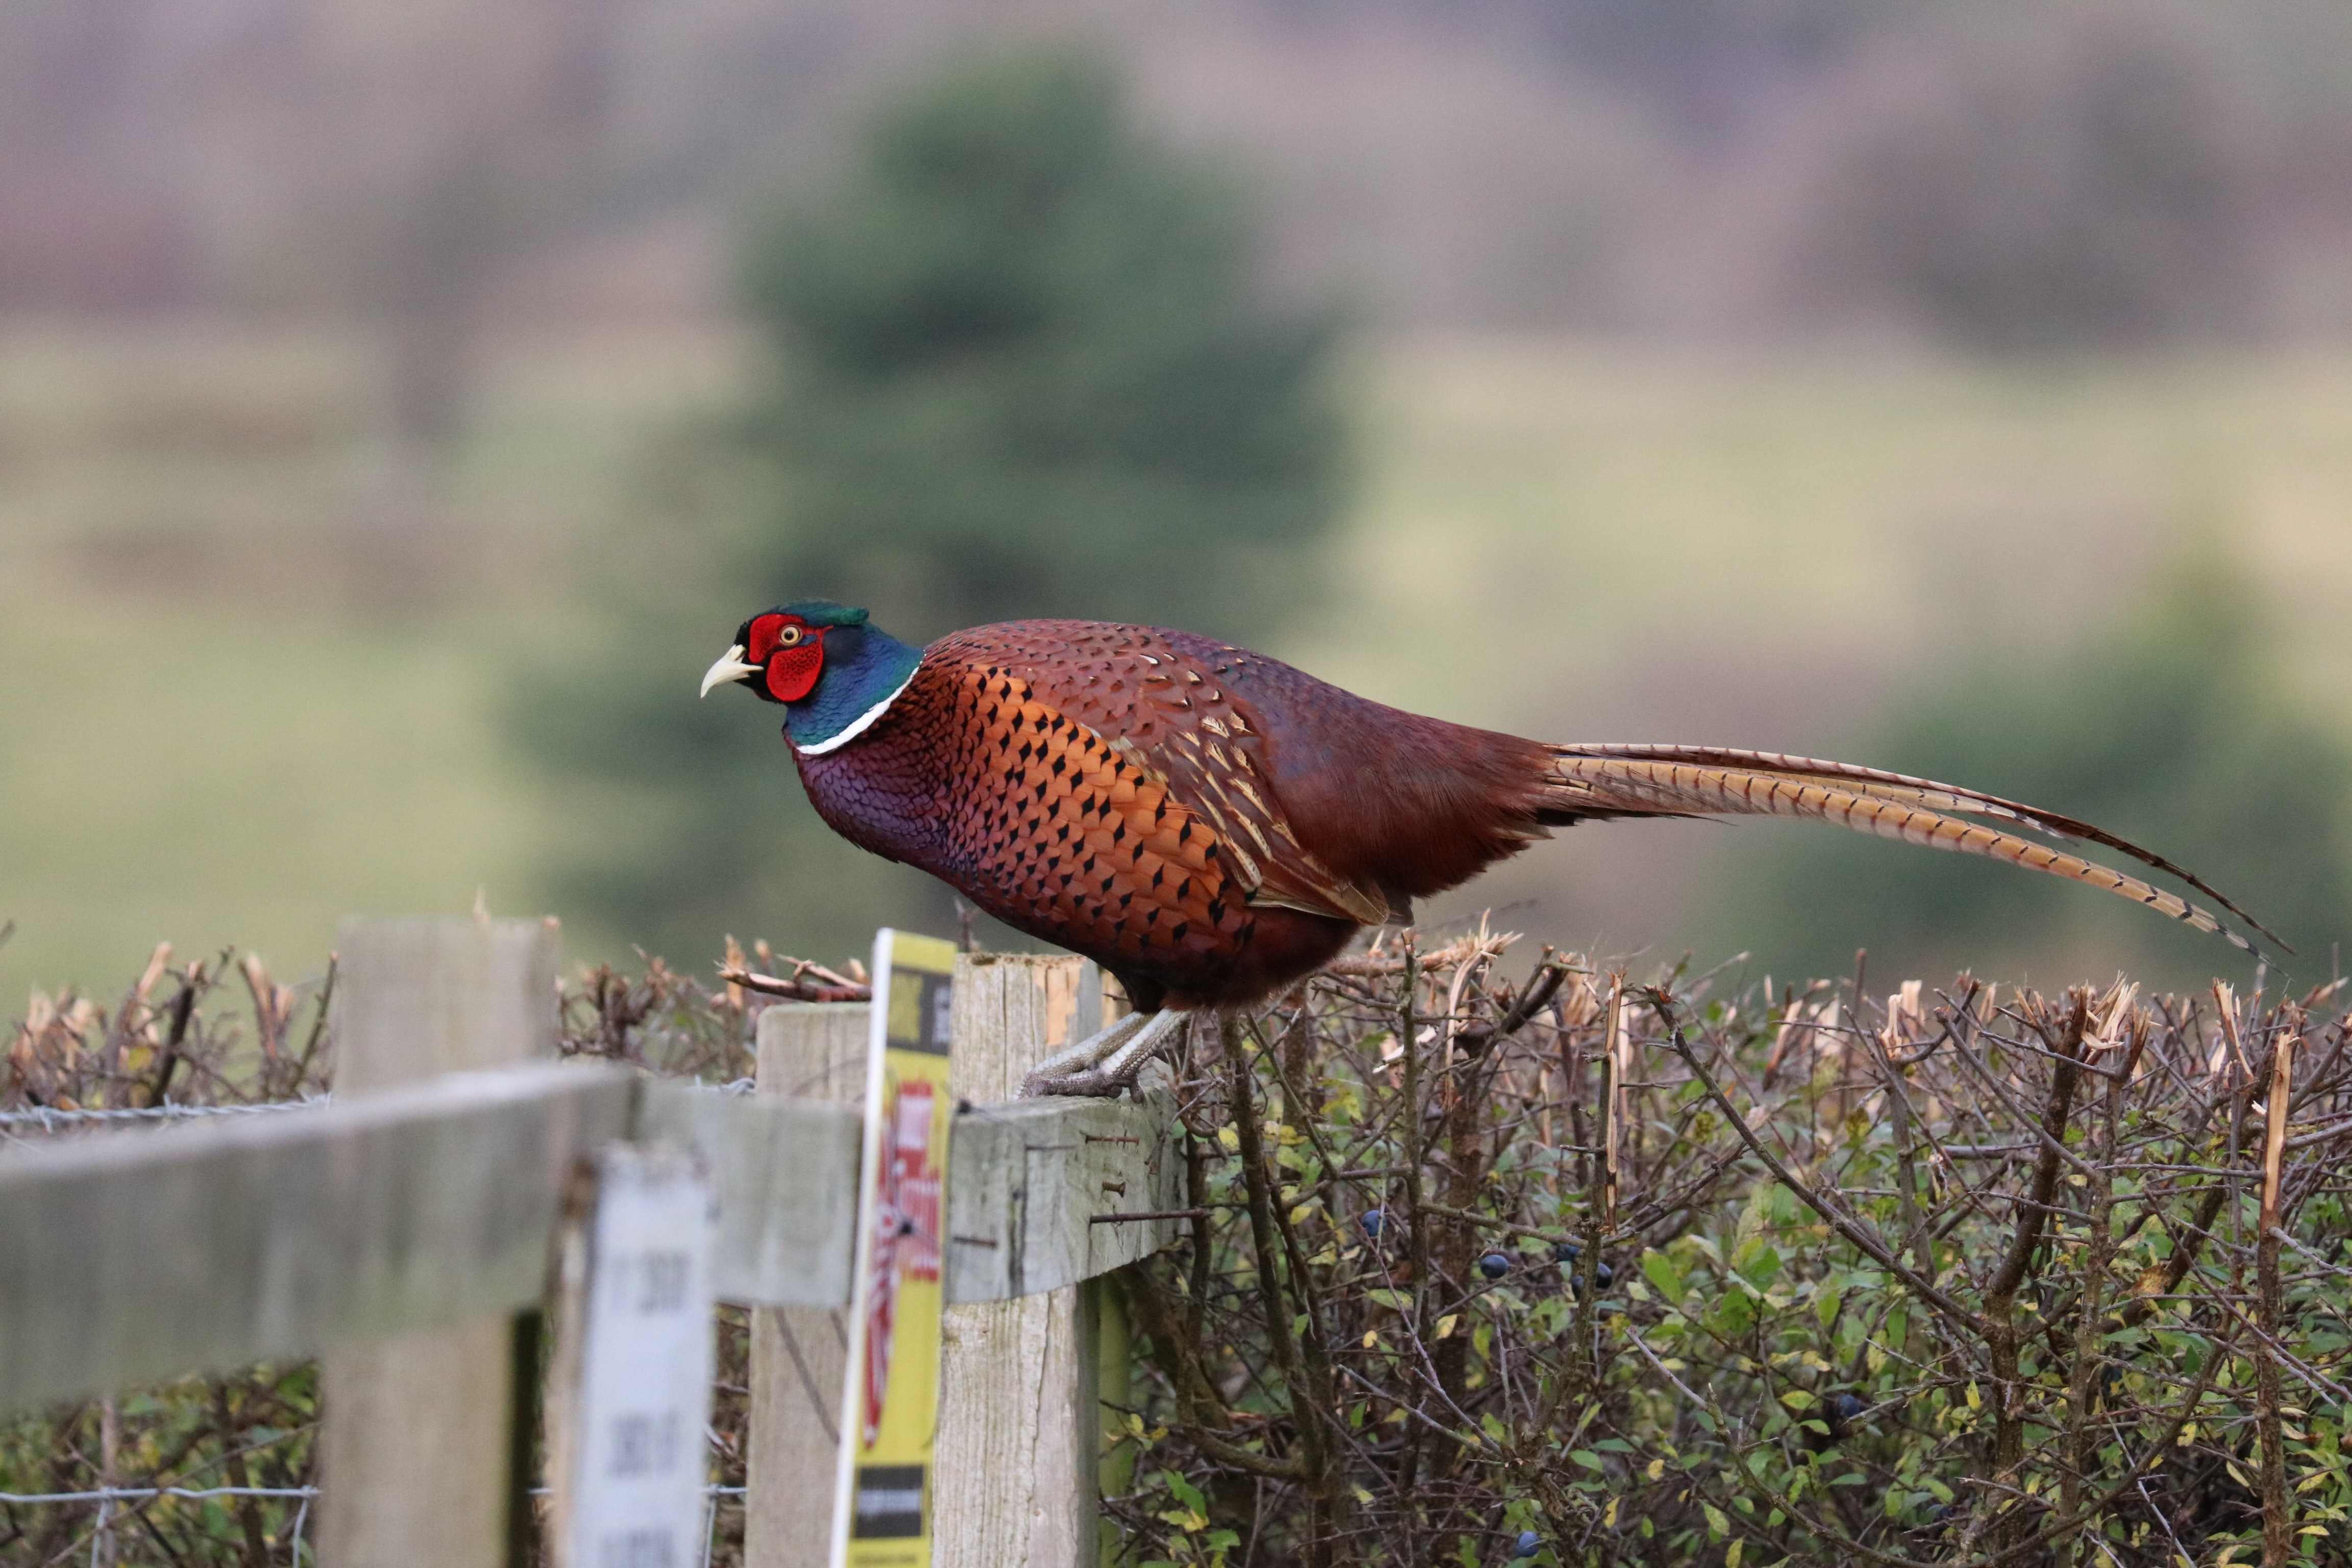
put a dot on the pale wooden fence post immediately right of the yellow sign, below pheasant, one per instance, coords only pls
(1020, 1421)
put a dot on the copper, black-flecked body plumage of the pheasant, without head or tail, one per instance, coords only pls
(1111, 789)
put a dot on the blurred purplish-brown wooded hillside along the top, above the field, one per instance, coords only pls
(2109, 170)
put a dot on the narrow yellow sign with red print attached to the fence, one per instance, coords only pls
(890, 1400)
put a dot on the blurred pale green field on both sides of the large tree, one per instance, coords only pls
(213, 730)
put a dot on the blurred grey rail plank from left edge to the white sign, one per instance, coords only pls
(161, 1252)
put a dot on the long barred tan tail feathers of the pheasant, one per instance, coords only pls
(1723, 782)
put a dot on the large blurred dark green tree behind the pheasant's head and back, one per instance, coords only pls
(1020, 373)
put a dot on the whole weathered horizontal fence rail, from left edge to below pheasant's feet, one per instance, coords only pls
(152, 1254)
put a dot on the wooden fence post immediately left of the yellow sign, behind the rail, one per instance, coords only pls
(796, 1353)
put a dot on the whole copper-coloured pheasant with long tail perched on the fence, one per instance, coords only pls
(1210, 824)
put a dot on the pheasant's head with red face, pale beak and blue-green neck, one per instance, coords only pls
(824, 662)
